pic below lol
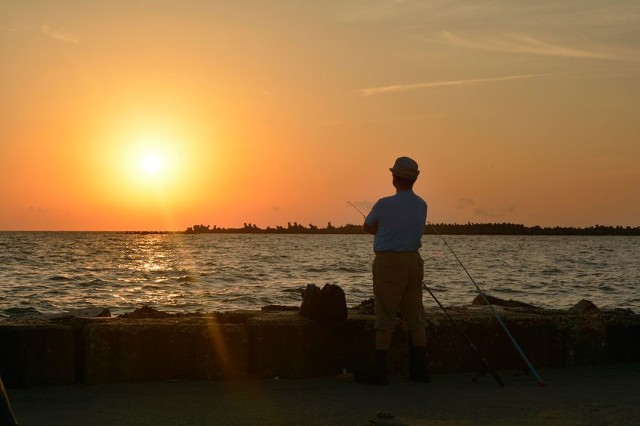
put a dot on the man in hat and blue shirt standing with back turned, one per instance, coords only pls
(397, 223)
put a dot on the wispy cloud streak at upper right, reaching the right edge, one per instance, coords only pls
(520, 43)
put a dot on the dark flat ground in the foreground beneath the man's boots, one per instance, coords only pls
(607, 395)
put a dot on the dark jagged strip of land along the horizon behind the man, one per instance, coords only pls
(442, 228)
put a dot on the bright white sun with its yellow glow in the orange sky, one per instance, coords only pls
(150, 165)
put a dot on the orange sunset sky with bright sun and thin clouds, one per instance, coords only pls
(161, 114)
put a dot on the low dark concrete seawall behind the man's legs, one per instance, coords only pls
(148, 345)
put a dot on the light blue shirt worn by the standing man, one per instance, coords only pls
(401, 219)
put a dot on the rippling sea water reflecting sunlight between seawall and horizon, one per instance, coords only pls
(51, 273)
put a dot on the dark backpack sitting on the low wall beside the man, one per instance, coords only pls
(328, 304)
